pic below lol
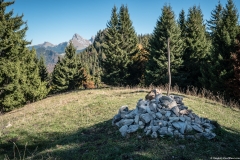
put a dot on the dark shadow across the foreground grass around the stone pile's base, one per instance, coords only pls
(103, 141)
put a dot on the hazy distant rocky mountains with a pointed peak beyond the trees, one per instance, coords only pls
(51, 52)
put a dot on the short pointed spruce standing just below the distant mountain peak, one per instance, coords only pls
(68, 73)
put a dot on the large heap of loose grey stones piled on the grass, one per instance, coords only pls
(161, 115)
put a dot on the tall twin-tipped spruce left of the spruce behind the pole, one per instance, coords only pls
(120, 45)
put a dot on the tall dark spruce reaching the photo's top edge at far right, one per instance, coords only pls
(224, 24)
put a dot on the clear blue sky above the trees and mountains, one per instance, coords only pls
(56, 21)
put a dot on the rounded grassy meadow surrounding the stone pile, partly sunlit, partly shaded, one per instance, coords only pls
(77, 125)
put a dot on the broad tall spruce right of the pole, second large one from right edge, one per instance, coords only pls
(197, 47)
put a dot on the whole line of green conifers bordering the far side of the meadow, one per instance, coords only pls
(204, 55)
